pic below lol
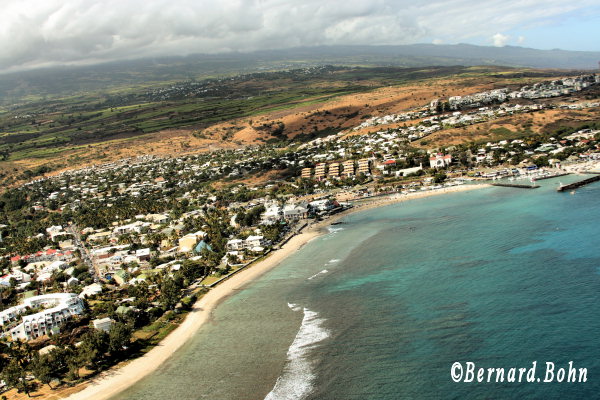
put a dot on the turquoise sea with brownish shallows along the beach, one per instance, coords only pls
(384, 304)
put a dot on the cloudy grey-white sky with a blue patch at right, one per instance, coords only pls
(37, 33)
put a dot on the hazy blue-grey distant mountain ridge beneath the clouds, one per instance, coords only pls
(62, 81)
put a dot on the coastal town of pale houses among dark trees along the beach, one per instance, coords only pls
(100, 264)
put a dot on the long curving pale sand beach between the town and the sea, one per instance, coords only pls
(117, 379)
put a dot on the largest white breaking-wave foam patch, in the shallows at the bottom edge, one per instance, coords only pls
(296, 380)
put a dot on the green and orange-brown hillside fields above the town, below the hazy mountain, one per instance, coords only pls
(39, 137)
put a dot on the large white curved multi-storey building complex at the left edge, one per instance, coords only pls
(55, 309)
